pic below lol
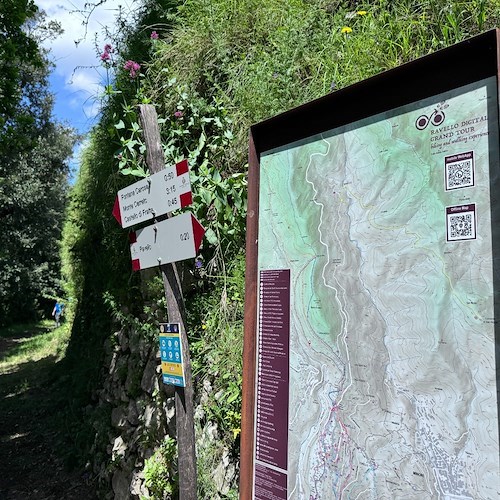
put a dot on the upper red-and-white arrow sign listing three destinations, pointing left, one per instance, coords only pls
(153, 196)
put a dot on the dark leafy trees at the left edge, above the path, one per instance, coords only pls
(34, 151)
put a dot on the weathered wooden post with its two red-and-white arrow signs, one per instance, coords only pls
(151, 198)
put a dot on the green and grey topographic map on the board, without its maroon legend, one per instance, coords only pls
(385, 228)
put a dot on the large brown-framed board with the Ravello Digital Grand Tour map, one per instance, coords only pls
(373, 292)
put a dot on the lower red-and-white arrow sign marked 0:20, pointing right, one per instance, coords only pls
(171, 240)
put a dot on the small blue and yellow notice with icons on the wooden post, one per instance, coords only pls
(171, 354)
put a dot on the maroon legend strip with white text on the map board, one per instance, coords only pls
(273, 369)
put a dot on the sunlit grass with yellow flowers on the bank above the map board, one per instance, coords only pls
(263, 58)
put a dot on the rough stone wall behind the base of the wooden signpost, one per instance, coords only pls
(134, 413)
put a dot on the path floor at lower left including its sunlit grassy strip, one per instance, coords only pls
(32, 437)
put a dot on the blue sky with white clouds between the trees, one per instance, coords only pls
(77, 80)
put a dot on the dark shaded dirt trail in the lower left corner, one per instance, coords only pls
(30, 440)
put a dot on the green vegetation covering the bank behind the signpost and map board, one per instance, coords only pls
(216, 68)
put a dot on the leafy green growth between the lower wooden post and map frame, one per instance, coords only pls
(216, 322)
